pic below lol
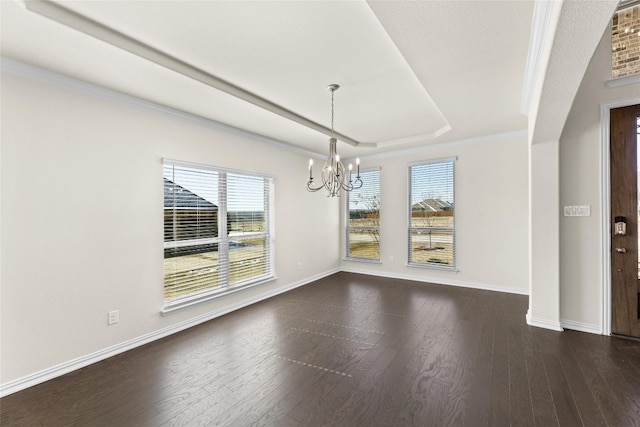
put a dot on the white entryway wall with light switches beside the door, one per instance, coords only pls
(581, 242)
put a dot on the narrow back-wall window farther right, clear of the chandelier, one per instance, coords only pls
(431, 214)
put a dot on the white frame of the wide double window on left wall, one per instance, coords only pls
(224, 238)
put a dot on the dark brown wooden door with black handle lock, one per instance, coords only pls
(624, 206)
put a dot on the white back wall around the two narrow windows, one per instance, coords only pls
(491, 201)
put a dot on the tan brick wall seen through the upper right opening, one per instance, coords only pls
(625, 41)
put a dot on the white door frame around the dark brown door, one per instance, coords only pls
(605, 205)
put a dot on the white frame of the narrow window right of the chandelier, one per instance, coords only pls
(410, 228)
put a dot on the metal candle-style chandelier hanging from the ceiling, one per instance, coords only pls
(334, 175)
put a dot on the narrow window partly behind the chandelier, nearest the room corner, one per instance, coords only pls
(363, 224)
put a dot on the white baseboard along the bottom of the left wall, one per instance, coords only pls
(75, 364)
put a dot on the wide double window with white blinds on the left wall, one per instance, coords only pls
(218, 227)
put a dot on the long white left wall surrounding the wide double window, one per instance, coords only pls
(82, 221)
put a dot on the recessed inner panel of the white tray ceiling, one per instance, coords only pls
(288, 52)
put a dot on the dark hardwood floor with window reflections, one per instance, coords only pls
(353, 350)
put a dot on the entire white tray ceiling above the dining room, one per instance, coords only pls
(410, 72)
